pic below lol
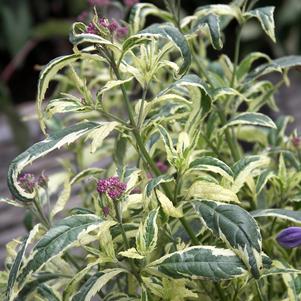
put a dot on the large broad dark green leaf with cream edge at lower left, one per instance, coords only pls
(69, 232)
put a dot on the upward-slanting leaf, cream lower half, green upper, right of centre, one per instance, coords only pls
(247, 167)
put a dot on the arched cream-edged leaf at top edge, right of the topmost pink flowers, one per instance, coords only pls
(141, 10)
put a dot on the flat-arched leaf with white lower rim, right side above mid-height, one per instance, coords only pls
(254, 119)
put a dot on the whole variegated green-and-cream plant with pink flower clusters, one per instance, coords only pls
(173, 191)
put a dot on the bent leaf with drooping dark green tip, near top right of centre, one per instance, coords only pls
(212, 24)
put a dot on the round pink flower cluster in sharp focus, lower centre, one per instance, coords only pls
(112, 186)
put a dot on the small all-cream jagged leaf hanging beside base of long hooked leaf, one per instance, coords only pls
(98, 134)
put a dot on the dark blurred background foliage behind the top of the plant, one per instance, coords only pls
(32, 32)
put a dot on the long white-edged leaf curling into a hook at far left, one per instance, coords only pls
(56, 140)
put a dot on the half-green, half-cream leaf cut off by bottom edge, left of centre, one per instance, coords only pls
(95, 283)
